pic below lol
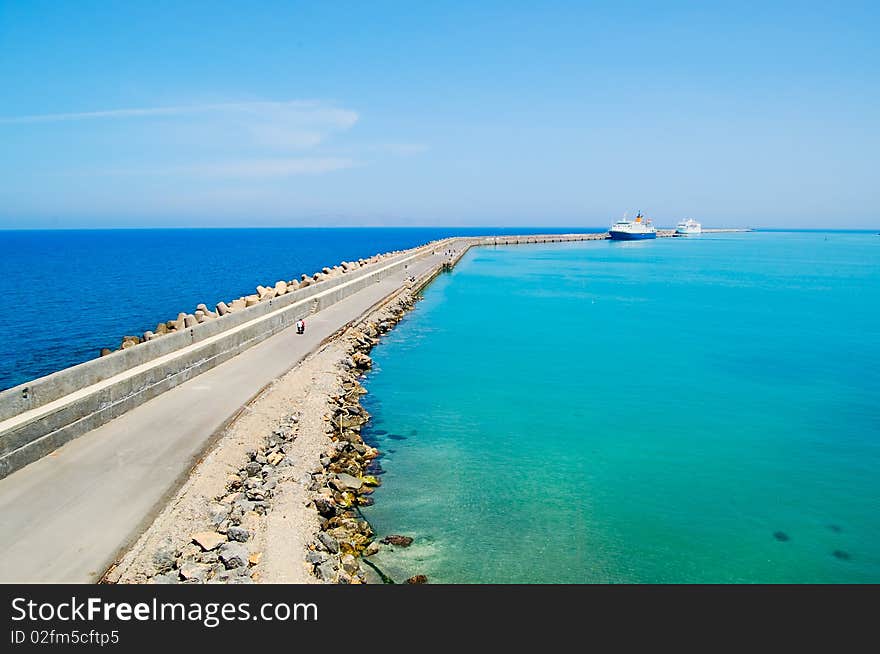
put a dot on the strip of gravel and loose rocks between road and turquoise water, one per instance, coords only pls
(221, 527)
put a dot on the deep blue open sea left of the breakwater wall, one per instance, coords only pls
(67, 294)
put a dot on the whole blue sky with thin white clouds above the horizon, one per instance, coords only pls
(214, 114)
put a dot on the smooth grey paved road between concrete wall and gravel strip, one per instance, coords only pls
(68, 516)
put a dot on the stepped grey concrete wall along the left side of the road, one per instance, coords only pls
(46, 413)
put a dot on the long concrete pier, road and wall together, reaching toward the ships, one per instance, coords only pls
(90, 454)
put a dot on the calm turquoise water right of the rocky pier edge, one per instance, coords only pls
(682, 410)
